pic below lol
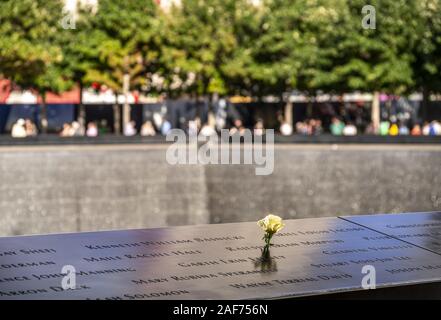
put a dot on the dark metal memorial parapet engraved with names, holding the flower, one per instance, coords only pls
(309, 257)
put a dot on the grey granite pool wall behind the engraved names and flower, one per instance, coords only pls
(84, 188)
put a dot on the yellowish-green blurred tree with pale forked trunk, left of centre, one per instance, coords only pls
(121, 47)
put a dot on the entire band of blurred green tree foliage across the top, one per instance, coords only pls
(225, 46)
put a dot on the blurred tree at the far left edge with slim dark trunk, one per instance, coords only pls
(30, 54)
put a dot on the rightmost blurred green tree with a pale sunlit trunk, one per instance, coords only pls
(373, 60)
